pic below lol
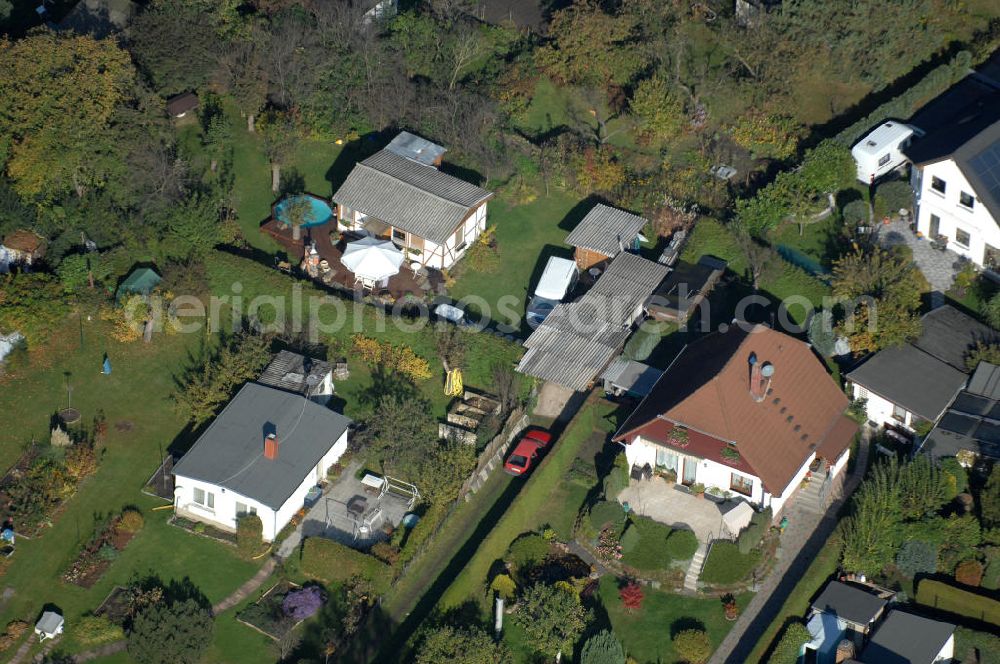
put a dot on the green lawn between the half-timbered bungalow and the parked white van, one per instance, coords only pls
(527, 235)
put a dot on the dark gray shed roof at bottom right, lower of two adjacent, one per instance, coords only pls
(905, 638)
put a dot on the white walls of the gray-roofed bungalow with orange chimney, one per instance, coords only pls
(223, 511)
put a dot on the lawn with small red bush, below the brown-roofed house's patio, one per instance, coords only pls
(646, 633)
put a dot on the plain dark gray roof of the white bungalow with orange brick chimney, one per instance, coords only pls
(230, 453)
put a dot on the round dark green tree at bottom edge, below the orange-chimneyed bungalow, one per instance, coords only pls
(171, 633)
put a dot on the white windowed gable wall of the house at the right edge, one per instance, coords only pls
(954, 217)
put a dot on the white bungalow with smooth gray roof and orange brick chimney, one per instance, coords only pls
(261, 455)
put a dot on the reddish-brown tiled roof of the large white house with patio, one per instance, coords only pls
(707, 390)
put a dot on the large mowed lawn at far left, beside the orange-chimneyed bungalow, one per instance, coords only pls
(142, 423)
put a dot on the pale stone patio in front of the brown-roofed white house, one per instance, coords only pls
(675, 507)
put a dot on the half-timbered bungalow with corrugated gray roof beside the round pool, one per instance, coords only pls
(399, 194)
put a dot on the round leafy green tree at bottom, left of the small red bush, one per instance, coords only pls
(552, 617)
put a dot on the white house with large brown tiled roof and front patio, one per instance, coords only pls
(746, 411)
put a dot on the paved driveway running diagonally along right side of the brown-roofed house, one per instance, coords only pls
(805, 536)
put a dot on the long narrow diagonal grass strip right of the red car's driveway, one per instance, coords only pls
(533, 506)
